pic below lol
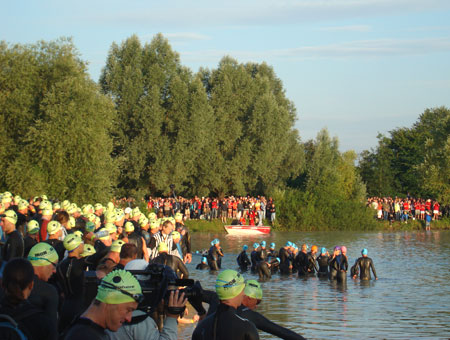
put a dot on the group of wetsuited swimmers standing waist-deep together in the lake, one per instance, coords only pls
(266, 260)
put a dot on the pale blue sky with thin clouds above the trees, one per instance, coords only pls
(355, 67)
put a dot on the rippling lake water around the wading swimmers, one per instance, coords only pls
(410, 300)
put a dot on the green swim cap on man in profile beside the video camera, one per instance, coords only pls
(118, 287)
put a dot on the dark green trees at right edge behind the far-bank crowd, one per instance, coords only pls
(412, 160)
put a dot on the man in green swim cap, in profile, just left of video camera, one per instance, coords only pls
(118, 295)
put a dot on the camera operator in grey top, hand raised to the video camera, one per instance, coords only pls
(142, 326)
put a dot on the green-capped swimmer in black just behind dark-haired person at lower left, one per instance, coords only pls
(44, 258)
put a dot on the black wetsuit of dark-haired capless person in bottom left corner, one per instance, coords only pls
(31, 320)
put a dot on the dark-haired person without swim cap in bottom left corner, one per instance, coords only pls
(17, 283)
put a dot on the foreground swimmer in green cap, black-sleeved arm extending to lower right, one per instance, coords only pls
(252, 297)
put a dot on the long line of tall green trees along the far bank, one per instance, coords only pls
(150, 122)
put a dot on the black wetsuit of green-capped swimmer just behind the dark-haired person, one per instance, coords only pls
(45, 297)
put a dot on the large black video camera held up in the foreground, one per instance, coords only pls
(157, 281)
